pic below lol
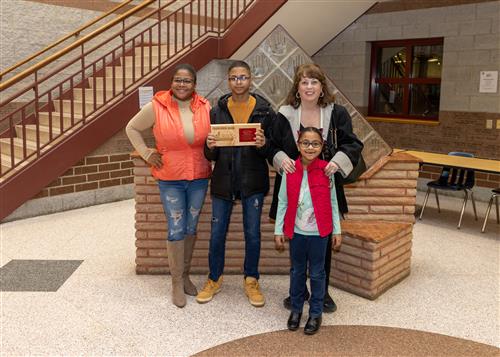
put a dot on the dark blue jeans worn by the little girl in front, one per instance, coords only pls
(304, 251)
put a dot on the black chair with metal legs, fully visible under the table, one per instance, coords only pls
(453, 179)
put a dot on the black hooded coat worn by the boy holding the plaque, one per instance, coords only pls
(241, 171)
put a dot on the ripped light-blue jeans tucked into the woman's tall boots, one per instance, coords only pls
(182, 201)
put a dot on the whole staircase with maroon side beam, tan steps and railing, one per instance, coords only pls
(66, 116)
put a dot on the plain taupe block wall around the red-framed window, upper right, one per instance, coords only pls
(471, 44)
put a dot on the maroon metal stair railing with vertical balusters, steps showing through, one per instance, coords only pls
(62, 100)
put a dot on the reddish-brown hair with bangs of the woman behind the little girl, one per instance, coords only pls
(310, 70)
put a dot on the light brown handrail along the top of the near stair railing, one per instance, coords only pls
(74, 45)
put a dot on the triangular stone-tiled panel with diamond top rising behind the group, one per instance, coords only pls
(273, 63)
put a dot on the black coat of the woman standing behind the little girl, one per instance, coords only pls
(347, 142)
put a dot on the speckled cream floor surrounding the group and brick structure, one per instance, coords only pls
(104, 308)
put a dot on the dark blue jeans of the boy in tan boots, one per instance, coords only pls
(221, 213)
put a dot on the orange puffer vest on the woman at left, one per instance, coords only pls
(181, 160)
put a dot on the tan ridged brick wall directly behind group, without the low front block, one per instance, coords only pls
(387, 192)
